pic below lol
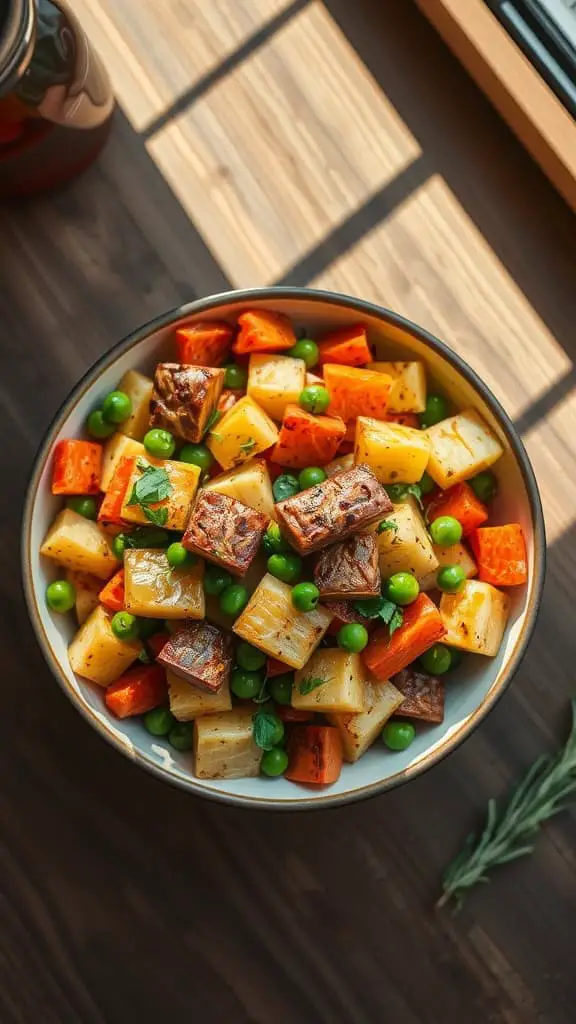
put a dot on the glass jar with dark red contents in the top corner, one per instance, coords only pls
(56, 97)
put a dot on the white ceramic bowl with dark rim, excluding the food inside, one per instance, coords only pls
(478, 684)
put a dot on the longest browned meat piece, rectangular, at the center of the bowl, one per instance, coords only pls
(339, 507)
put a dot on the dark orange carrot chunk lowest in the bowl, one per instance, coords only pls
(315, 755)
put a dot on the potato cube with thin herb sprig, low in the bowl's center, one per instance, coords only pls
(343, 690)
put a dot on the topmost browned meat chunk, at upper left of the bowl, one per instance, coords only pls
(184, 398)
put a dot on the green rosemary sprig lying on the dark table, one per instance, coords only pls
(510, 832)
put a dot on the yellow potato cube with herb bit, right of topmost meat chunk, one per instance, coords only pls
(243, 433)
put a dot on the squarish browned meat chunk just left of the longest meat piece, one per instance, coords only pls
(225, 532)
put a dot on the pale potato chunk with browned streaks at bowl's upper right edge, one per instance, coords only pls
(461, 447)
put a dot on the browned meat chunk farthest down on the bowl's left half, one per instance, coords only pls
(201, 655)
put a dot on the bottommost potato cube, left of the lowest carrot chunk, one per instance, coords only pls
(224, 746)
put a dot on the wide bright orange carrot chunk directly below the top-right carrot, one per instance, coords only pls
(357, 393)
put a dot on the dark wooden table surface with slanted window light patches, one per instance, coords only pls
(315, 143)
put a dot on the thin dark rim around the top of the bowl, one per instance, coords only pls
(503, 681)
